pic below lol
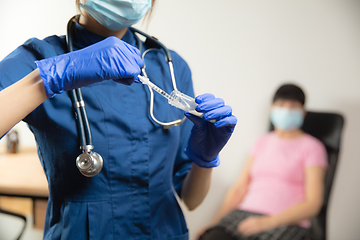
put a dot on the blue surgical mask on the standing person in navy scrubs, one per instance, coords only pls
(117, 14)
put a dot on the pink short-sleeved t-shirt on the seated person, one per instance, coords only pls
(278, 172)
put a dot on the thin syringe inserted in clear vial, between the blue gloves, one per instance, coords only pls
(176, 98)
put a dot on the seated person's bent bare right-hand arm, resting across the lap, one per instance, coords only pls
(314, 188)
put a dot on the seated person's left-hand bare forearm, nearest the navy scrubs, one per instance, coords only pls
(236, 193)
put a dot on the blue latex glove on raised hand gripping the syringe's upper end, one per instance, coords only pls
(111, 58)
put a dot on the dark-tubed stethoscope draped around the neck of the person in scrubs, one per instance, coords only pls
(88, 162)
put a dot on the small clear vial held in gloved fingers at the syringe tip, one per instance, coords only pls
(184, 102)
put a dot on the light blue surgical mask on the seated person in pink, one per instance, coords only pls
(286, 119)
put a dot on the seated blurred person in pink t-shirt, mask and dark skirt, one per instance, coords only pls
(281, 185)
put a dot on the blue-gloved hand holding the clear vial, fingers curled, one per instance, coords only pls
(207, 138)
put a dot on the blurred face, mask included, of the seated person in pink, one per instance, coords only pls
(287, 115)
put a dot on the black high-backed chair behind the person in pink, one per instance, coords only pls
(327, 127)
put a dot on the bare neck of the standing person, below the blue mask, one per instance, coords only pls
(90, 24)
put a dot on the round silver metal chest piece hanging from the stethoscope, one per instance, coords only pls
(89, 163)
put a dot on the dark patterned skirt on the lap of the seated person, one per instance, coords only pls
(226, 229)
